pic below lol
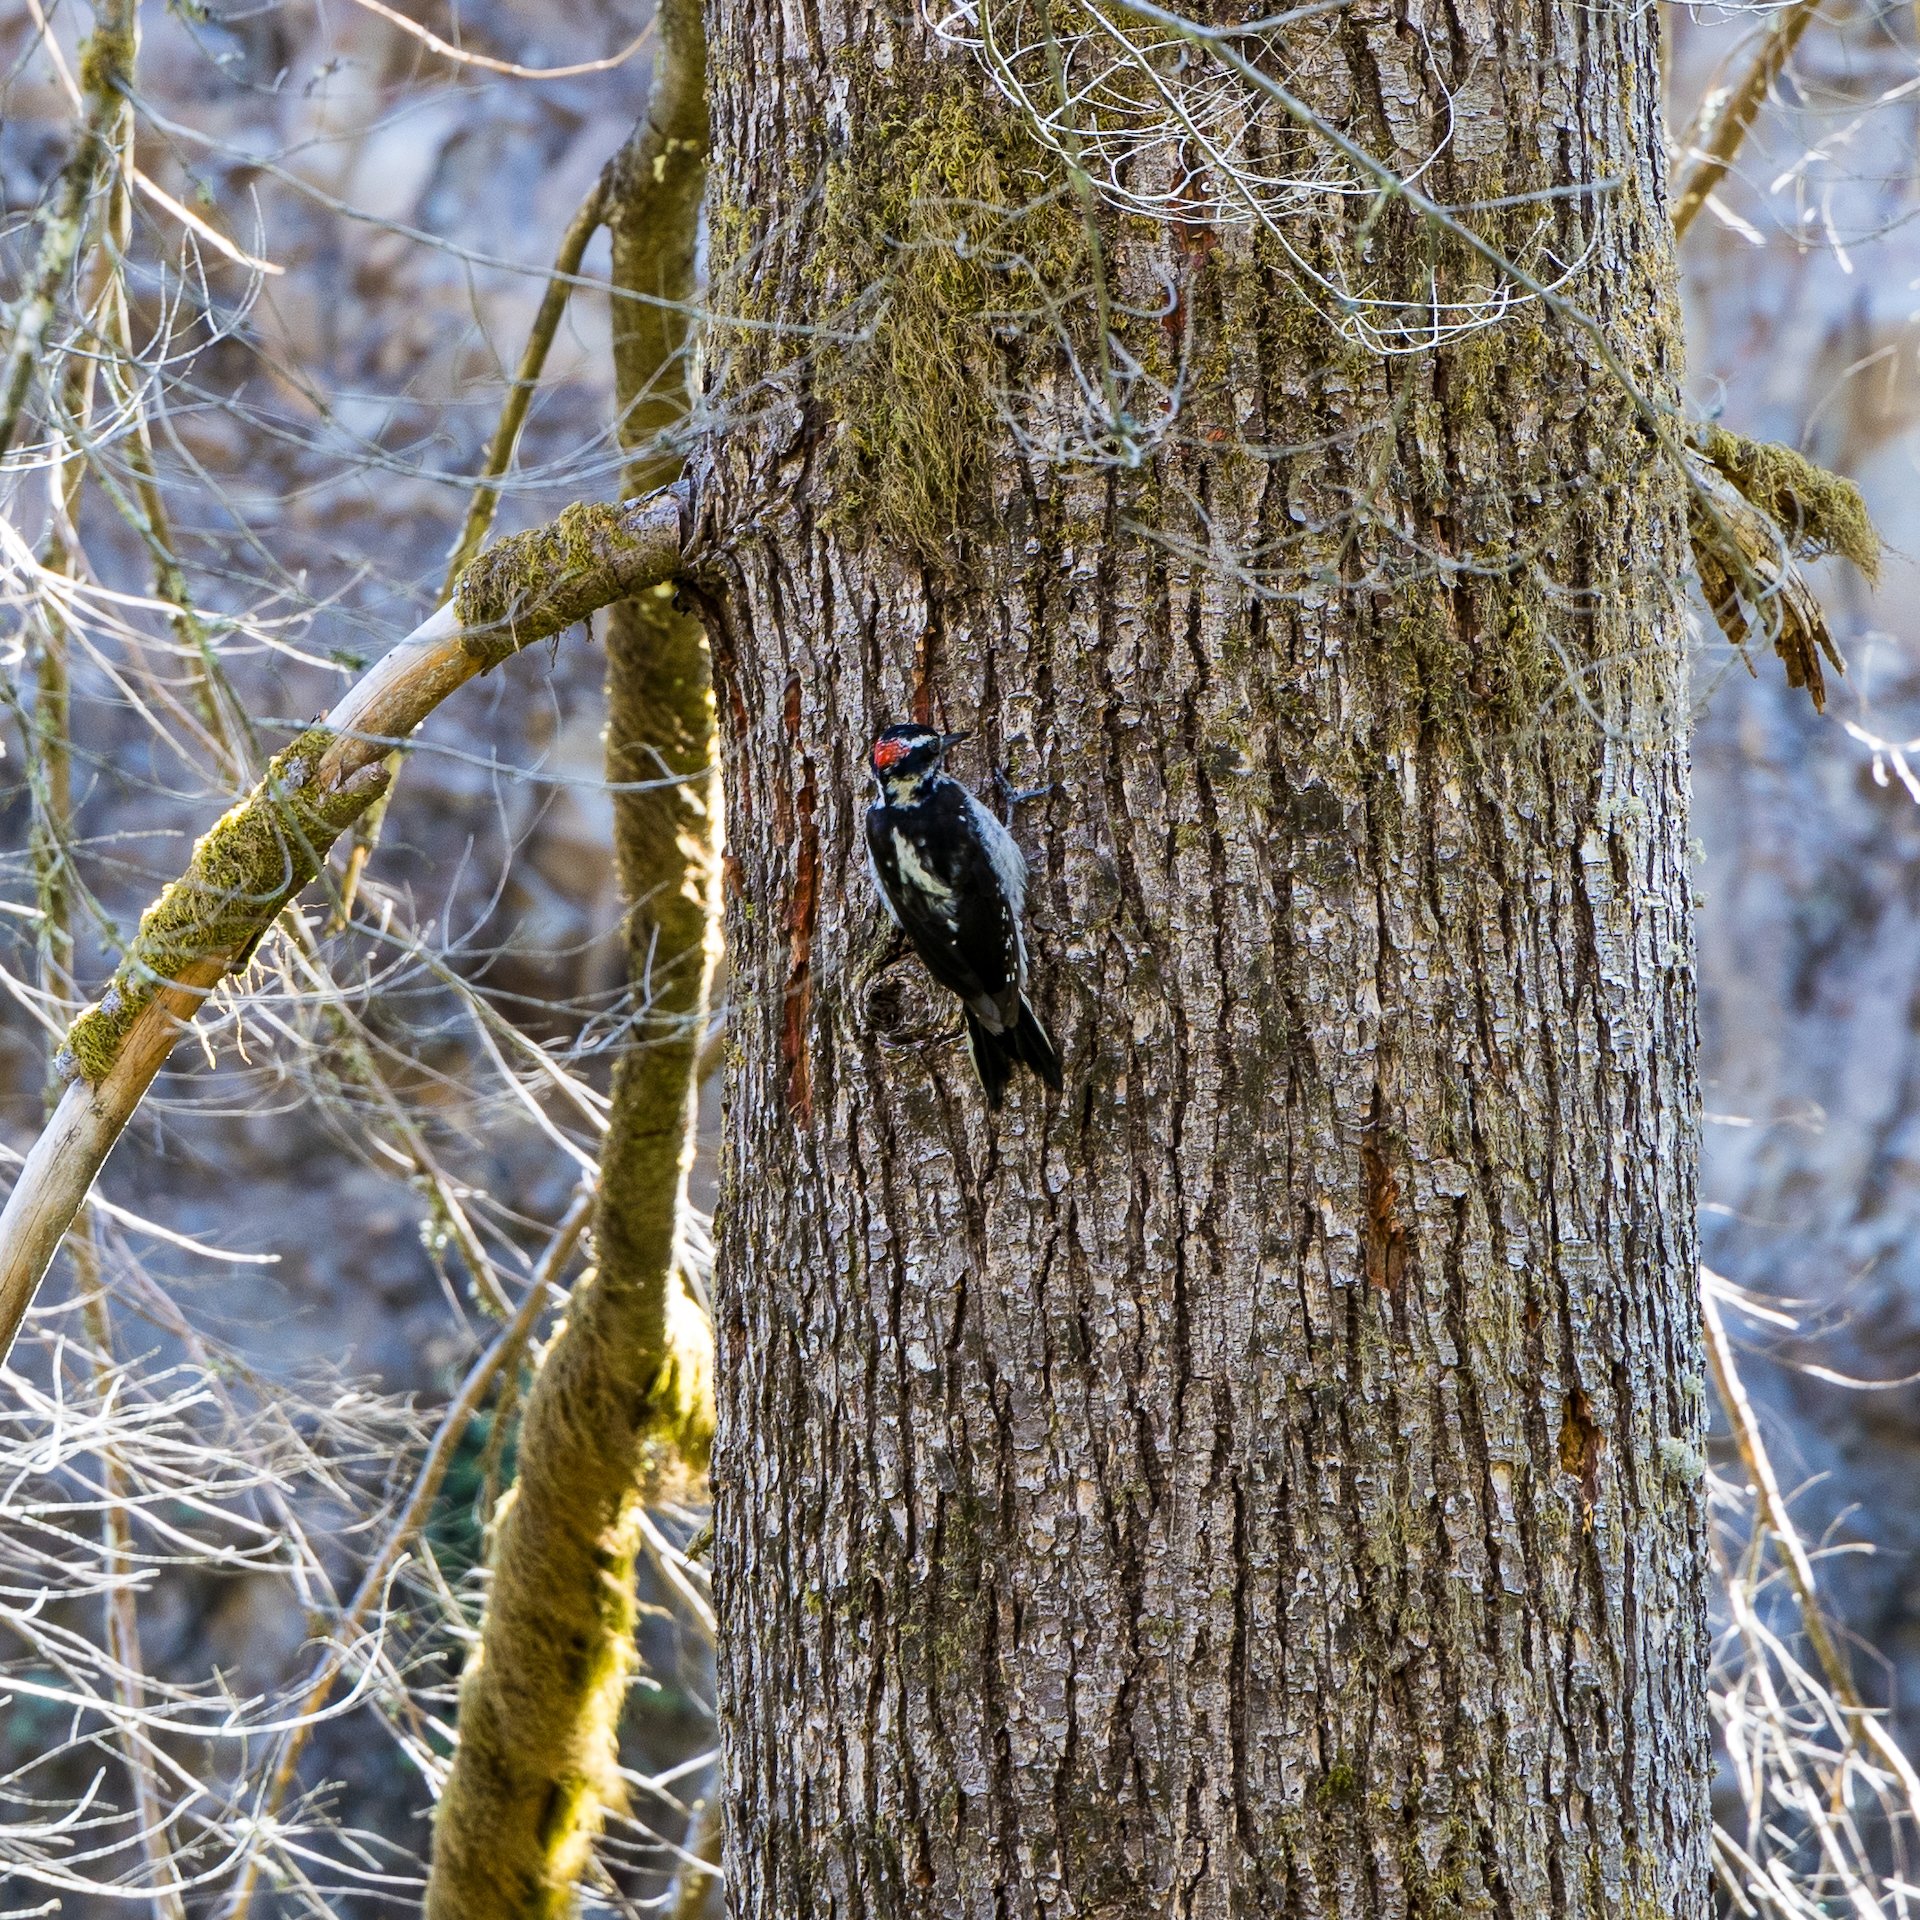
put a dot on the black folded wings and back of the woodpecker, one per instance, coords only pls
(965, 932)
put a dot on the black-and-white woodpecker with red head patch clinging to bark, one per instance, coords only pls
(957, 886)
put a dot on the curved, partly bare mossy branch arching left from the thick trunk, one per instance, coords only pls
(274, 842)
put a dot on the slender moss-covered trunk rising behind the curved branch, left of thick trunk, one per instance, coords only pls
(625, 1387)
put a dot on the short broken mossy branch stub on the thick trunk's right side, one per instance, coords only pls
(1754, 510)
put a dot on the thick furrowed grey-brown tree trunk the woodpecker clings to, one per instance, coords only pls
(1262, 1481)
